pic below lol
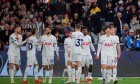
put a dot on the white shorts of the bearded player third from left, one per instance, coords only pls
(47, 60)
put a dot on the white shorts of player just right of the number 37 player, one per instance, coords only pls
(87, 60)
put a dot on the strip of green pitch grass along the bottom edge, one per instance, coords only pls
(18, 80)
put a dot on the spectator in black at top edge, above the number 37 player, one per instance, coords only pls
(76, 7)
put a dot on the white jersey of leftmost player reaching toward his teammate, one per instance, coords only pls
(14, 44)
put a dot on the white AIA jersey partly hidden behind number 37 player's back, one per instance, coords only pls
(87, 44)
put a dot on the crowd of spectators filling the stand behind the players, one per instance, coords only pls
(62, 15)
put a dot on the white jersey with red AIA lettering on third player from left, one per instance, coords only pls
(48, 44)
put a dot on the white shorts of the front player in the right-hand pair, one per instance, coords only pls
(107, 59)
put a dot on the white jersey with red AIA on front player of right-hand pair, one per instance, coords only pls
(107, 45)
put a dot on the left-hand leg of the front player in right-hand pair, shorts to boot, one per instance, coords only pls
(103, 67)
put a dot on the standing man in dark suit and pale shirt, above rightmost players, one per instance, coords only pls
(118, 22)
